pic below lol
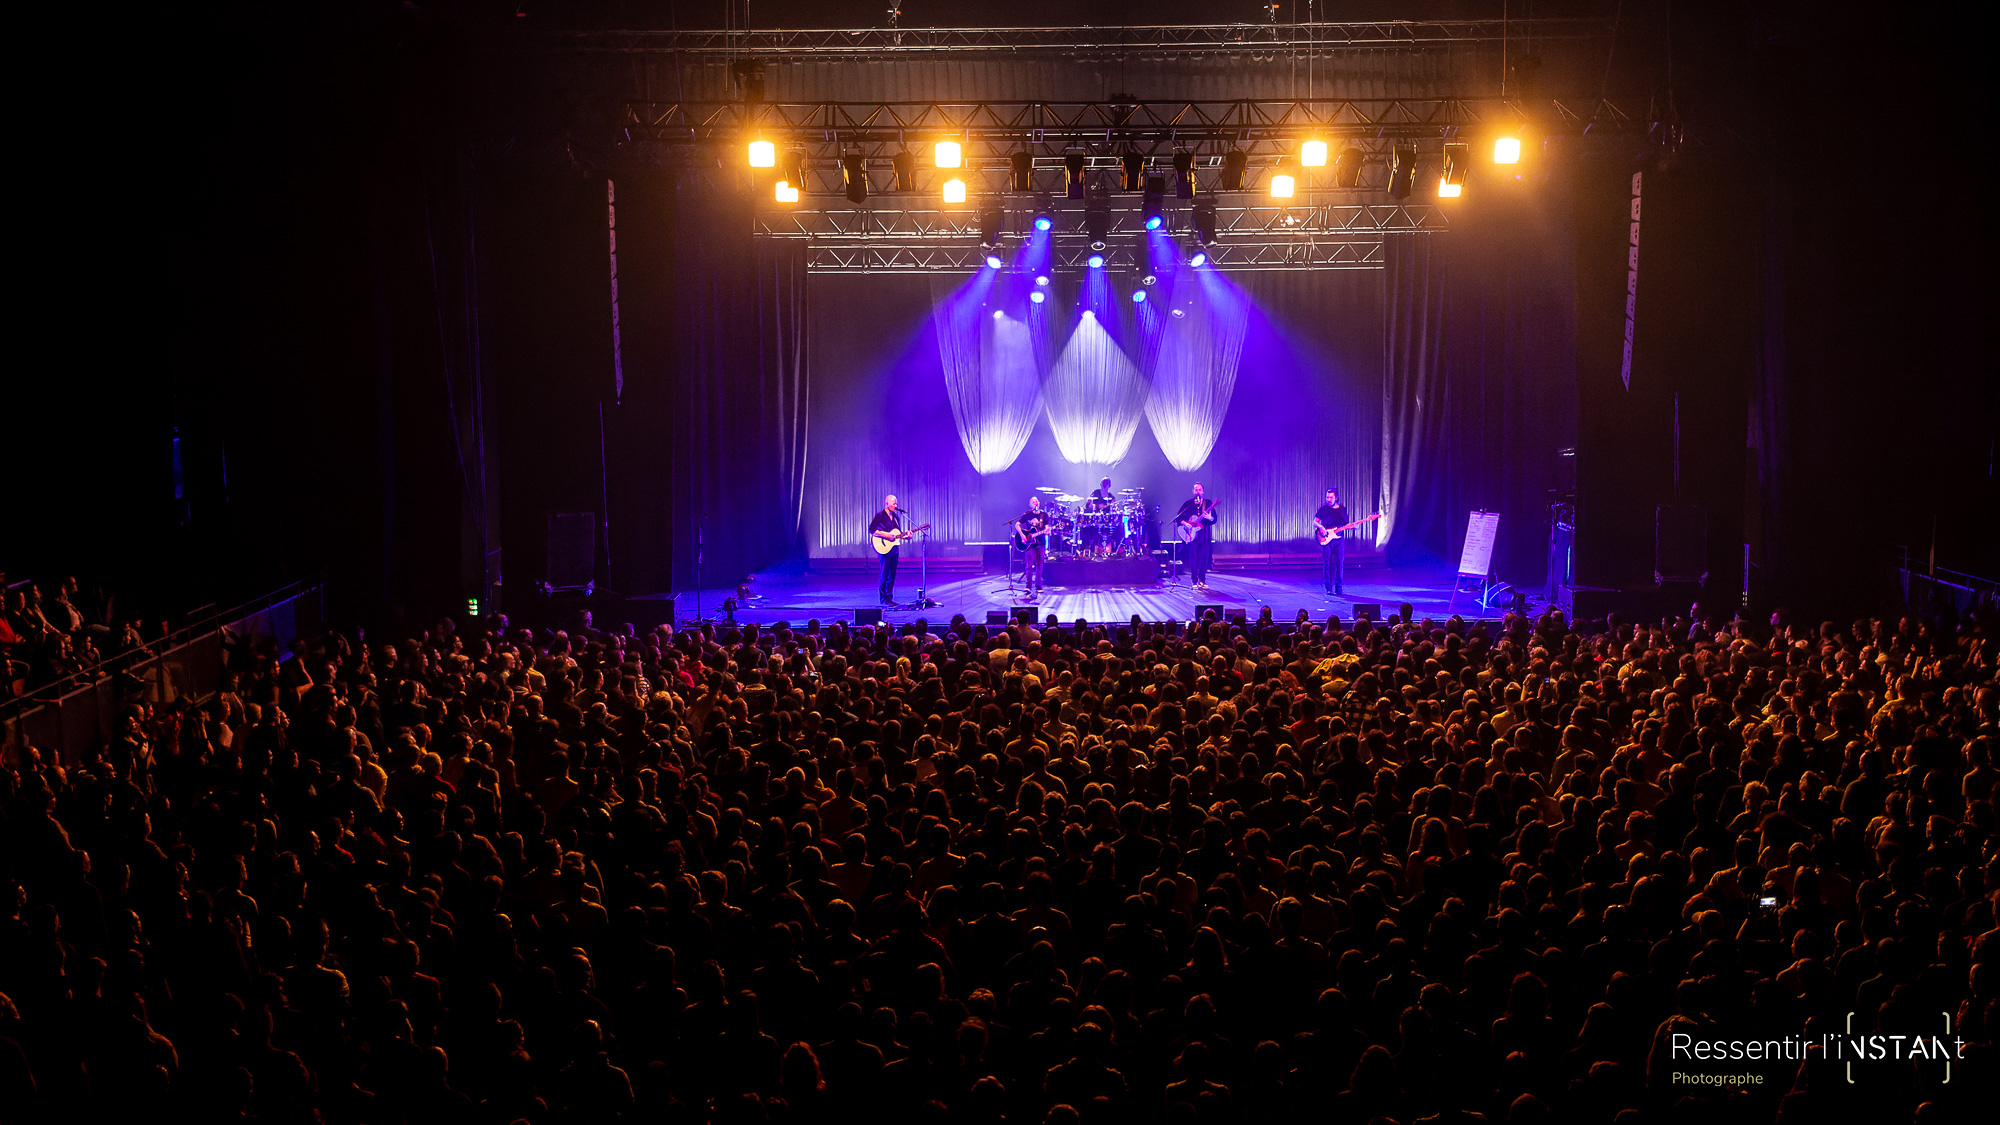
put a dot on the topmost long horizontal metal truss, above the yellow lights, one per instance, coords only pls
(1157, 41)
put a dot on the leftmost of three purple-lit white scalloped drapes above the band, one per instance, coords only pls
(991, 373)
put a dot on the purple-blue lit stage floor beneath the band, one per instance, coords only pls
(837, 596)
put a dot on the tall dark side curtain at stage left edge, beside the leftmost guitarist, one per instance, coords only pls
(717, 379)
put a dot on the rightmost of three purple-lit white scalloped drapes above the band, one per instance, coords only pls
(1195, 369)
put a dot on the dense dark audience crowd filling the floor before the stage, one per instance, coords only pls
(1195, 872)
